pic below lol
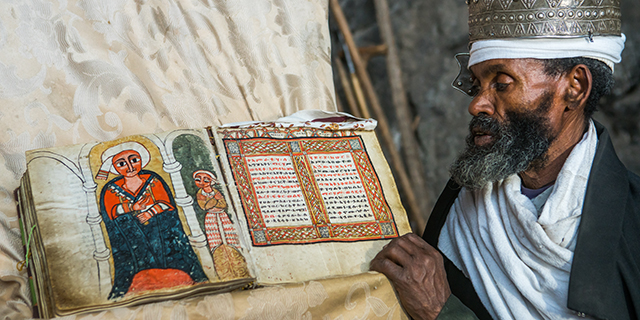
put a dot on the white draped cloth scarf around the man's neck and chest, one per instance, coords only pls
(519, 263)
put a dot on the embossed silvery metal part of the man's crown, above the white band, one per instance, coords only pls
(499, 19)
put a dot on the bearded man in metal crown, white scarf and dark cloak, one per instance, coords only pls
(540, 220)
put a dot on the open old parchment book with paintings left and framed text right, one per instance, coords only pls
(169, 215)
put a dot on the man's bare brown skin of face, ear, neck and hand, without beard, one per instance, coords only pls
(414, 267)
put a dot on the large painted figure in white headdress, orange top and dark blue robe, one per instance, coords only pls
(149, 246)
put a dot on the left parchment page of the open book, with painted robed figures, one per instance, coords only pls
(100, 248)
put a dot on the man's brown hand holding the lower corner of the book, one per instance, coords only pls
(417, 272)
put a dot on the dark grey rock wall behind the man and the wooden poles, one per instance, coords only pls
(428, 34)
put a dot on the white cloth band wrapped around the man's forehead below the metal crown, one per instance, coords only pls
(607, 49)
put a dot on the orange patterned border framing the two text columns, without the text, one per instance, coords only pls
(238, 145)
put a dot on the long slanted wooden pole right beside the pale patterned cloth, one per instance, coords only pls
(383, 127)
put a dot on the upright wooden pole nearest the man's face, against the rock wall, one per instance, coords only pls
(410, 147)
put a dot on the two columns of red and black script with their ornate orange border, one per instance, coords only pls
(305, 190)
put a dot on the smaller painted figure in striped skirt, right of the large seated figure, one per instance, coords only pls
(221, 233)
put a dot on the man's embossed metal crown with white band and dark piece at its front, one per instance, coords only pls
(518, 29)
